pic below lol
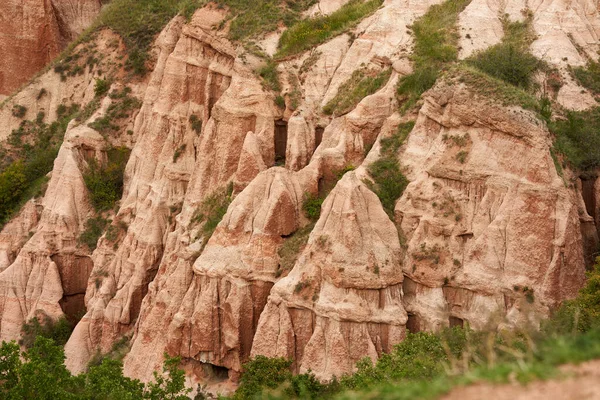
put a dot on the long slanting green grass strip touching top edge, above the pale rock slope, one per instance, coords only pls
(312, 32)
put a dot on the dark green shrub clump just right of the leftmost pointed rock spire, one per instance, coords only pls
(105, 182)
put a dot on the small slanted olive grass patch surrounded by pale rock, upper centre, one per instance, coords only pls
(361, 84)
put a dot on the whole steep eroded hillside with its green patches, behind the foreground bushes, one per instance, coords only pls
(301, 179)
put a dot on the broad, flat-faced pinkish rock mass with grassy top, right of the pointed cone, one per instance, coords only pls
(491, 228)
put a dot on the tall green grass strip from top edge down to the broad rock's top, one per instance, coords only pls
(436, 41)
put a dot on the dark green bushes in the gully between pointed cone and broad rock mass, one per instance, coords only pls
(388, 181)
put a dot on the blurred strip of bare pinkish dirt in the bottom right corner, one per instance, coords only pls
(582, 382)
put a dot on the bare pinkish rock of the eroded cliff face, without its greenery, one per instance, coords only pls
(486, 233)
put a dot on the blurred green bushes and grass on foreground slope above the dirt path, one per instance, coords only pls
(427, 365)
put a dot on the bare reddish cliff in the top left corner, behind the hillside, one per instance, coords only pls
(33, 32)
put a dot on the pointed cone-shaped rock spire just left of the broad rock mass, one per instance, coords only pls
(343, 299)
